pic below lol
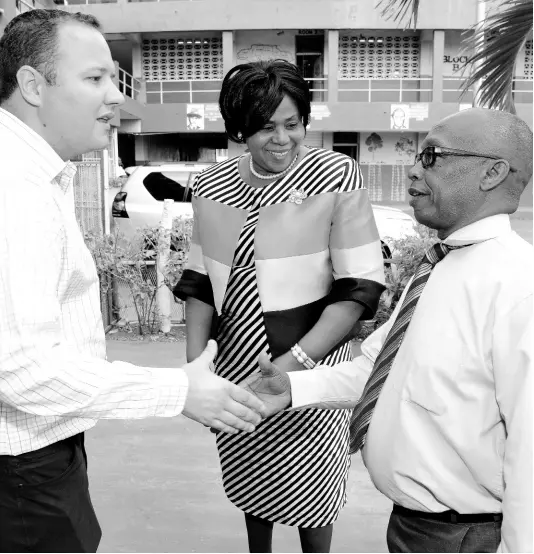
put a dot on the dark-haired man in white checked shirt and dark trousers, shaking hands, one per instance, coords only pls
(56, 99)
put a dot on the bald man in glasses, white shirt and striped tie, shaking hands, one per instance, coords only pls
(450, 436)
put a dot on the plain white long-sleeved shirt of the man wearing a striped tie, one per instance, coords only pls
(452, 428)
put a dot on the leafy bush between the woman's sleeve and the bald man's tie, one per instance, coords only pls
(407, 252)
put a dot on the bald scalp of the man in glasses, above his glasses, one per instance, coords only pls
(494, 133)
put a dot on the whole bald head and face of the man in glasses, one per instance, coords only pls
(481, 165)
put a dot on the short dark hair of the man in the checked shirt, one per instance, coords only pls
(31, 39)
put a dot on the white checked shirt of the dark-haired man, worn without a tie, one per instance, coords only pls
(54, 378)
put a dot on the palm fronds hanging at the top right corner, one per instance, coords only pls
(496, 43)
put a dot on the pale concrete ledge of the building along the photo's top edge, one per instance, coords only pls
(122, 16)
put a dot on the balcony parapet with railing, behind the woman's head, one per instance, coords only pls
(357, 104)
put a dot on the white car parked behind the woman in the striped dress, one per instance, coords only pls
(140, 202)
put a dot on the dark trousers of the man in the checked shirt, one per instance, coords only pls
(44, 500)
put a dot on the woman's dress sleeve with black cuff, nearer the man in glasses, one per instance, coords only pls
(355, 250)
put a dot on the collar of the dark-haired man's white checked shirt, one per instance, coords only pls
(36, 151)
